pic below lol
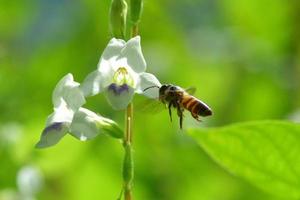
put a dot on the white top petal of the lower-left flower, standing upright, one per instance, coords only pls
(67, 90)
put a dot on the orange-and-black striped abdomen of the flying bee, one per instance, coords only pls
(195, 106)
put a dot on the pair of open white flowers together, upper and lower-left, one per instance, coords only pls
(119, 75)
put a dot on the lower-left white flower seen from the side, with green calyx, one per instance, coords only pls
(70, 117)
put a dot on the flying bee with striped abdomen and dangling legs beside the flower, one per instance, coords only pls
(181, 99)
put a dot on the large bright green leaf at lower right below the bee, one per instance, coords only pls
(265, 153)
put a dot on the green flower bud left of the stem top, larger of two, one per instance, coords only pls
(118, 13)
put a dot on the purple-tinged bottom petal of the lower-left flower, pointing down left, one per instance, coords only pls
(52, 134)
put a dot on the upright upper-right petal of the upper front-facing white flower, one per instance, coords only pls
(133, 52)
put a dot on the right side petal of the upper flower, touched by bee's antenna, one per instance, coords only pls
(148, 80)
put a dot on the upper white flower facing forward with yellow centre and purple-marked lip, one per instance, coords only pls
(120, 74)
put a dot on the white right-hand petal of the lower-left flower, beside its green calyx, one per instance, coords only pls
(84, 125)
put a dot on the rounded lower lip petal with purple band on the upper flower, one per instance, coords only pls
(119, 96)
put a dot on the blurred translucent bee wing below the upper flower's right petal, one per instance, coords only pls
(150, 106)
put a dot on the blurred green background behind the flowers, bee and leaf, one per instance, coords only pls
(242, 56)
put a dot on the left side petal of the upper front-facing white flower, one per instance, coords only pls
(92, 84)
